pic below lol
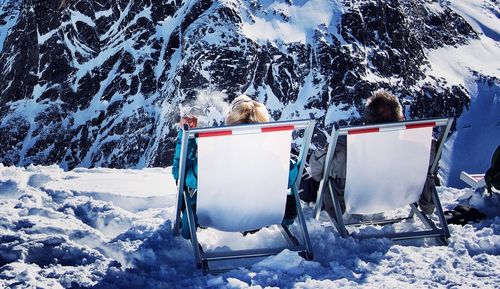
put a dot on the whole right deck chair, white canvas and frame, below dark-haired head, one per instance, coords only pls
(387, 166)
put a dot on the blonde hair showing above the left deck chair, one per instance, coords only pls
(246, 110)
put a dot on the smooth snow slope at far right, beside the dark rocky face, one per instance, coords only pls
(478, 129)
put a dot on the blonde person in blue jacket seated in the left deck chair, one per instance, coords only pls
(243, 110)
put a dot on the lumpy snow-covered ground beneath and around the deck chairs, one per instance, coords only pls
(106, 228)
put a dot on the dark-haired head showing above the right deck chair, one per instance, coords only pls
(383, 107)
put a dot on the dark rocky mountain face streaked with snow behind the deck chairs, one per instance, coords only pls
(99, 83)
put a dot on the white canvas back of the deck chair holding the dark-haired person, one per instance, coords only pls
(386, 168)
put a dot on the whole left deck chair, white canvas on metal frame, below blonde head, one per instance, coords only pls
(242, 184)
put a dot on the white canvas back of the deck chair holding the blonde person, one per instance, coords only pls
(243, 177)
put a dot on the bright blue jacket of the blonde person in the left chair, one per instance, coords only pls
(191, 177)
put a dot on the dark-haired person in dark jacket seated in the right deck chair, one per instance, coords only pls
(382, 107)
